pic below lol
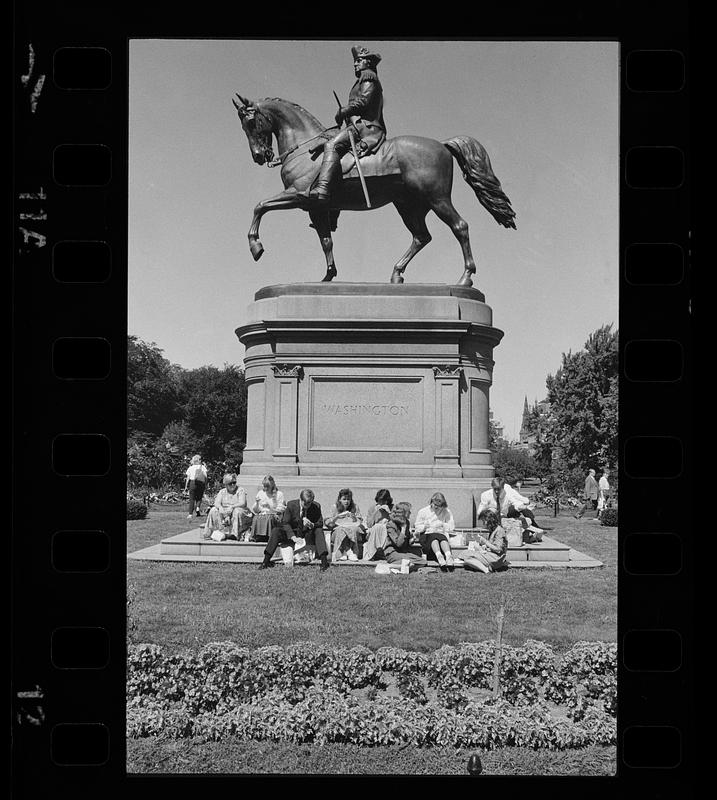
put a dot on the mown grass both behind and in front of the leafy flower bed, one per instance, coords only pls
(185, 605)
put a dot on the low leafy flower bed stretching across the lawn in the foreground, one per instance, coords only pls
(312, 693)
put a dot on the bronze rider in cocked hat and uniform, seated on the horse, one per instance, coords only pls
(364, 112)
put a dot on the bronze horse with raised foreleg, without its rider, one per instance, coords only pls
(422, 180)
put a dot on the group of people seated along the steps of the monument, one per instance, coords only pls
(384, 533)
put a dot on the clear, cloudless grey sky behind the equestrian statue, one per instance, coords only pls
(546, 112)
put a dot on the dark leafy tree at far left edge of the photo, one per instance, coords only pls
(152, 388)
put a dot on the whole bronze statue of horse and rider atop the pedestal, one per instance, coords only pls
(352, 166)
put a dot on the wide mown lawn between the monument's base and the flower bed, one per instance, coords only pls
(185, 605)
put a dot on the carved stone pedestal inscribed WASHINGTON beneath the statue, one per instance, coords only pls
(370, 386)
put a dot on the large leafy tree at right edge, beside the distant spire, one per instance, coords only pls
(580, 430)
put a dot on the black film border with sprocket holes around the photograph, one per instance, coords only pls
(655, 603)
